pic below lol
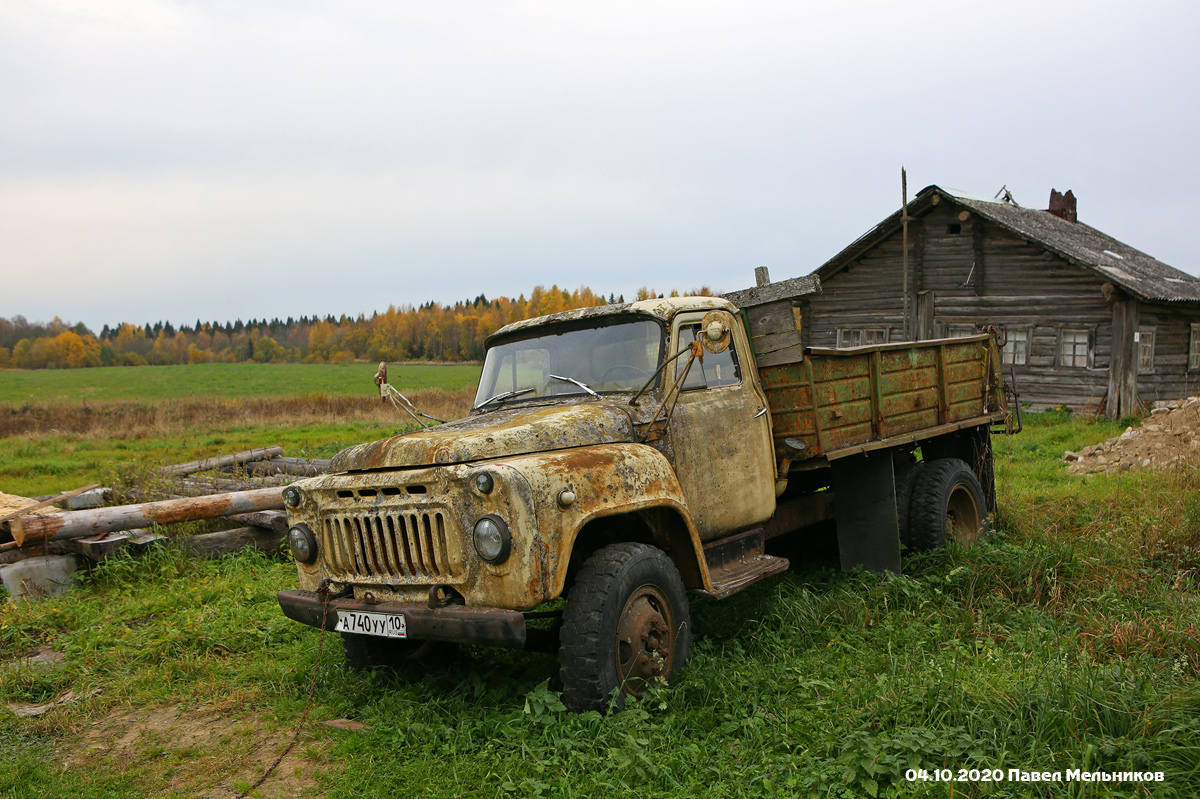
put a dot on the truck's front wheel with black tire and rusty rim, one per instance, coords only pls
(627, 626)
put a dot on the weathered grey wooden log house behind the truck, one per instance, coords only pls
(1091, 323)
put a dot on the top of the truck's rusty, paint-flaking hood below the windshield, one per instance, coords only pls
(518, 431)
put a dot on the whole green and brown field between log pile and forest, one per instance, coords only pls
(74, 428)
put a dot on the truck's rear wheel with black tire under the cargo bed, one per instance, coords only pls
(947, 502)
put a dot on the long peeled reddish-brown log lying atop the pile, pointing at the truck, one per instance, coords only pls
(77, 525)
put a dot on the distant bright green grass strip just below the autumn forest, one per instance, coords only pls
(225, 381)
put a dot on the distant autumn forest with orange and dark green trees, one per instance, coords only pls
(429, 333)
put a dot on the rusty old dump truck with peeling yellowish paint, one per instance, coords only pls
(628, 456)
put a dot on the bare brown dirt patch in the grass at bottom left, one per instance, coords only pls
(199, 753)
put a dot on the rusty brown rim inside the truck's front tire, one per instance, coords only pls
(645, 640)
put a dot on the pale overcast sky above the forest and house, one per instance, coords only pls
(245, 160)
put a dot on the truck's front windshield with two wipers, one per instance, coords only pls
(621, 356)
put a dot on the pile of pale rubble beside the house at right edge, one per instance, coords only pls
(1167, 437)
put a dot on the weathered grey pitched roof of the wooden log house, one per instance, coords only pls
(1079, 244)
